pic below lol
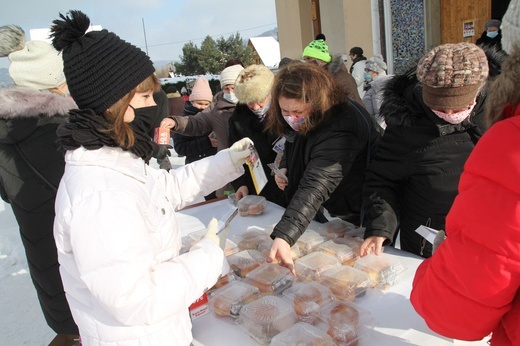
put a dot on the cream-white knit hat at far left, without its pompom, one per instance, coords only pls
(38, 65)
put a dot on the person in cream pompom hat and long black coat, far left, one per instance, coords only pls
(31, 165)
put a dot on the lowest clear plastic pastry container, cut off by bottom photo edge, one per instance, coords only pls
(302, 334)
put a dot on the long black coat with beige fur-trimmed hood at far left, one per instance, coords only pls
(31, 167)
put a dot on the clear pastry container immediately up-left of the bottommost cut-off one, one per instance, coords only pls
(266, 317)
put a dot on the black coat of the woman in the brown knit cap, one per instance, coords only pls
(414, 177)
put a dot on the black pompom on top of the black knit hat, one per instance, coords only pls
(68, 30)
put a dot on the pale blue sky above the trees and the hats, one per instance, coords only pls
(168, 24)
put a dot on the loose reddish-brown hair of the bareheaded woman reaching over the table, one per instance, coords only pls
(309, 84)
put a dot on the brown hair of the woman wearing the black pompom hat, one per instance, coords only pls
(122, 133)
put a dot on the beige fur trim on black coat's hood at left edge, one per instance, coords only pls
(26, 102)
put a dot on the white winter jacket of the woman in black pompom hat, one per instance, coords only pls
(118, 245)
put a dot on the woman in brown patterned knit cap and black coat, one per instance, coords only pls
(432, 116)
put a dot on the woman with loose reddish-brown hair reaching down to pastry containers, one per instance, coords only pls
(329, 140)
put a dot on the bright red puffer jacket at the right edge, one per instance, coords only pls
(470, 287)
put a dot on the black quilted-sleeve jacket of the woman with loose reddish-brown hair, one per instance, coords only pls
(327, 167)
